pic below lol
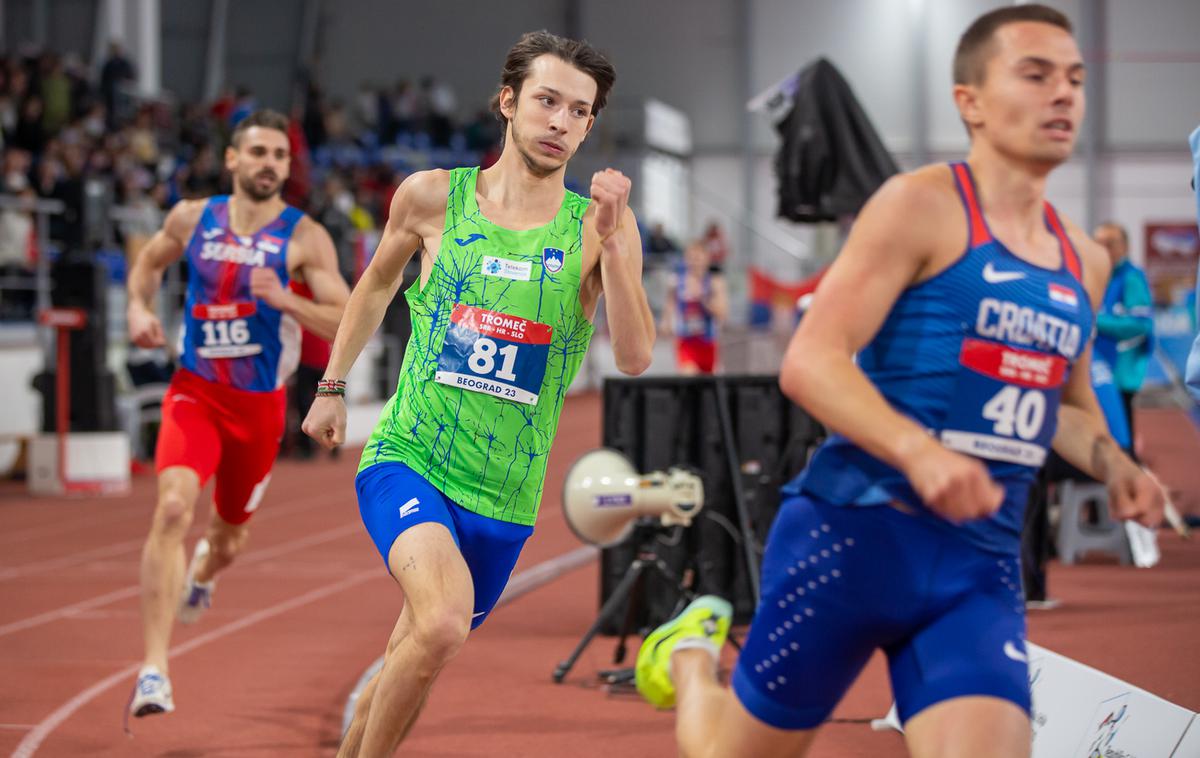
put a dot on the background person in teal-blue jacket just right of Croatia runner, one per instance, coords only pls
(1125, 336)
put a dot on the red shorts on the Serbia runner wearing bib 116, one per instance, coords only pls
(213, 429)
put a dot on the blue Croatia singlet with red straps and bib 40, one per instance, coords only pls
(979, 356)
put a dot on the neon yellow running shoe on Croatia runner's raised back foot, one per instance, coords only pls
(704, 624)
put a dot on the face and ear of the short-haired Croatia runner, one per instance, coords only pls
(1031, 103)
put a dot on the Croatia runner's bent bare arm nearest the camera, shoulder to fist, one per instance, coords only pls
(895, 240)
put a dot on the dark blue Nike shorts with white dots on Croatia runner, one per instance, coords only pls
(839, 583)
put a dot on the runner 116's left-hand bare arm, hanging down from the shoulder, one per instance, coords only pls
(146, 278)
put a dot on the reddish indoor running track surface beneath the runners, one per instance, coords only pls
(310, 606)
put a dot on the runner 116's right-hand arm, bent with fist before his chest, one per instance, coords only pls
(317, 267)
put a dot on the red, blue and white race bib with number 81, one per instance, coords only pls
(495, 354)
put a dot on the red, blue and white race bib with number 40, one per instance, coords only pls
(1005, 404)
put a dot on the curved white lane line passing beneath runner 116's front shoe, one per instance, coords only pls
(44, 730)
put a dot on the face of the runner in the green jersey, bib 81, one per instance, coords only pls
(551, 116)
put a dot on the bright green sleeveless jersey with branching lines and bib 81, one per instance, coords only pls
(499, 335)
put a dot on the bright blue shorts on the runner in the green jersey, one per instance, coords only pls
(394, 498)
